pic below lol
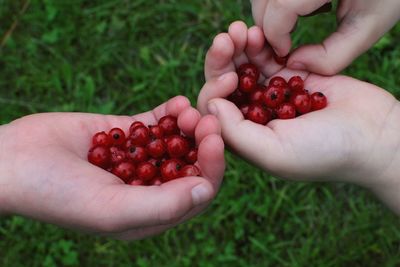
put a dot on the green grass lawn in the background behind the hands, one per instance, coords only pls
(125, 57)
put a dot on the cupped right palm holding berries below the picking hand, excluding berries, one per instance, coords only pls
(354, 139)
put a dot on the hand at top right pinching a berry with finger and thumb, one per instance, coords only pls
(360, 24)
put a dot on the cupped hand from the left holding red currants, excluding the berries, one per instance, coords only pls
(45, 174)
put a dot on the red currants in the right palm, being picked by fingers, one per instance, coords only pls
(281, 99)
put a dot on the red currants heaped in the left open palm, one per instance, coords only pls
(148, 155)
